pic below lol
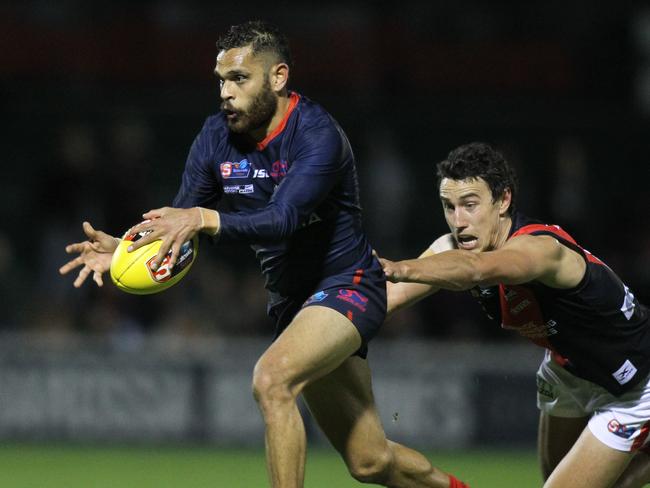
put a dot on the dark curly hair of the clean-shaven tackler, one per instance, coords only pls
(480, 160)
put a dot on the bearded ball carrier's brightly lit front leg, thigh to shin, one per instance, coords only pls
(316, 342)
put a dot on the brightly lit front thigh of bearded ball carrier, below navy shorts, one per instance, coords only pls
(315, 343)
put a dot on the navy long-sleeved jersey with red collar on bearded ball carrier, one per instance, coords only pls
(294, 196)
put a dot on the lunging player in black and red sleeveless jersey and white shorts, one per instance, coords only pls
(593, 385)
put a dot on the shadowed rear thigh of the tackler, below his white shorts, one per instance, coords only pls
(556, 436)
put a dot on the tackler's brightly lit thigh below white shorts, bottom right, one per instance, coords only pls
(589, 464)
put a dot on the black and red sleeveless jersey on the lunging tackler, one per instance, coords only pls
(597, 330)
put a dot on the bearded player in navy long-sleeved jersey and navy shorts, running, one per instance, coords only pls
(286, 171)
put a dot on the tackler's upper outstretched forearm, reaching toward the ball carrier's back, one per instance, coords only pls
(450, 270)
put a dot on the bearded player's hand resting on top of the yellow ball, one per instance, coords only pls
(173, 226)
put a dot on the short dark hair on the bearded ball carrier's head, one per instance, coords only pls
(261, 36)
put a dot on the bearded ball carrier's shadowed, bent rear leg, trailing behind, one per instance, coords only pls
(343, 404)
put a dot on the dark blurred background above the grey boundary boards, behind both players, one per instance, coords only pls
(102, 100)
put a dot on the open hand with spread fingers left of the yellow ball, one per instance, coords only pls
(95, 255)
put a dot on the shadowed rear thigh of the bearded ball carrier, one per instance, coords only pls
(344, 406)
